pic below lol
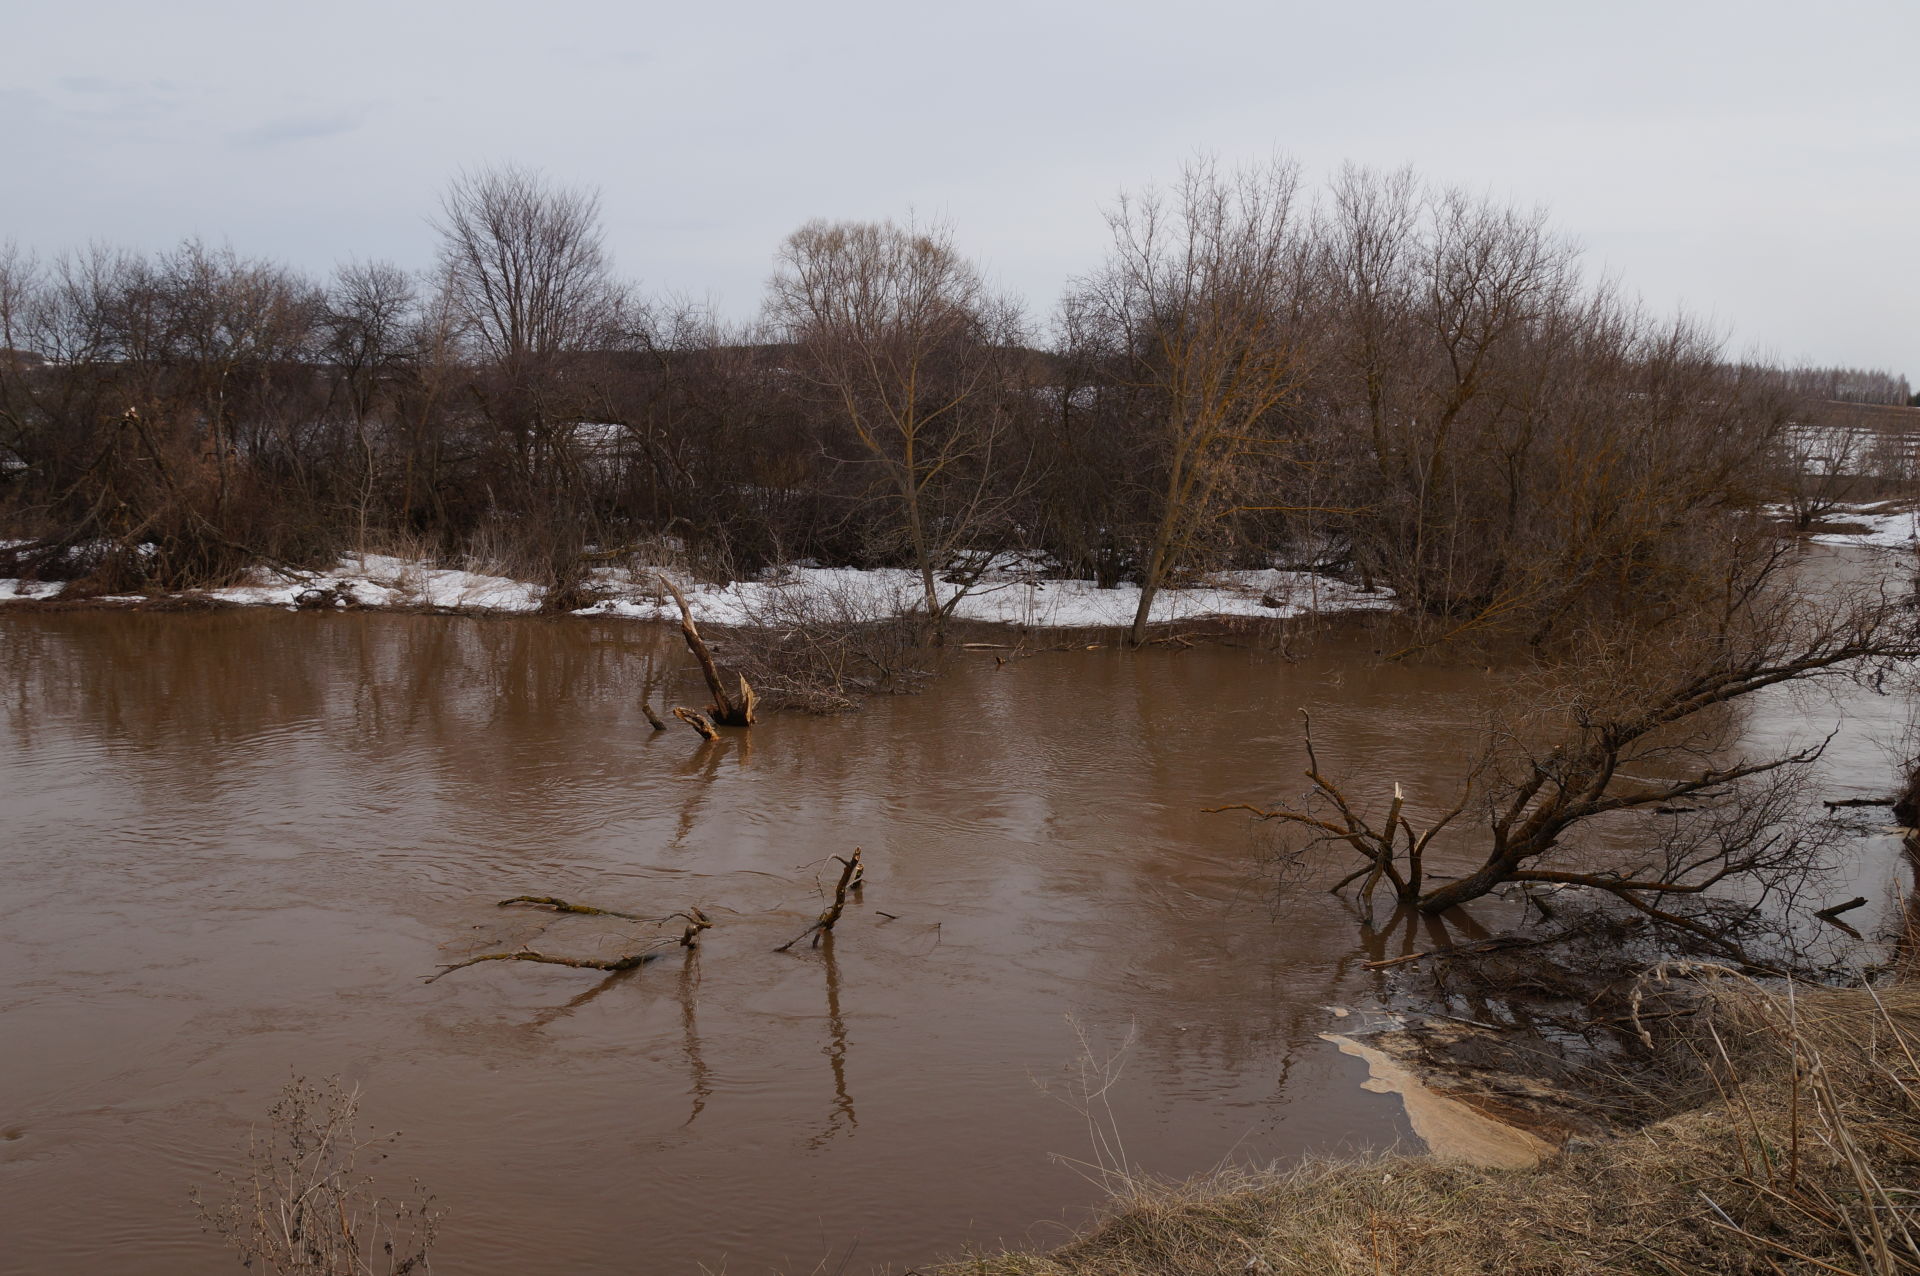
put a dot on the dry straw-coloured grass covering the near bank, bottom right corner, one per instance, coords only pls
(1804, 1156)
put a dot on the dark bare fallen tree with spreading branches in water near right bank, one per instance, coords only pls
(1633, 734)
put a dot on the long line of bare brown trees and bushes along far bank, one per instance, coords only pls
(1408, 385)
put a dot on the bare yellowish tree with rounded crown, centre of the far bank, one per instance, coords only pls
(915, 360)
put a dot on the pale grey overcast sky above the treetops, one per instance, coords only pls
(1758, 162)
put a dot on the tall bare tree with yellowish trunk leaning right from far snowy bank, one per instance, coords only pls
(1197, 319)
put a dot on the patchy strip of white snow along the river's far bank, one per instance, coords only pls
(790, 596)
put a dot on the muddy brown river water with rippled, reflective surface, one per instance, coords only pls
(233, 845)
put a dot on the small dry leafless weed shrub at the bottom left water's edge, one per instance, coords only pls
(304, 1208)
